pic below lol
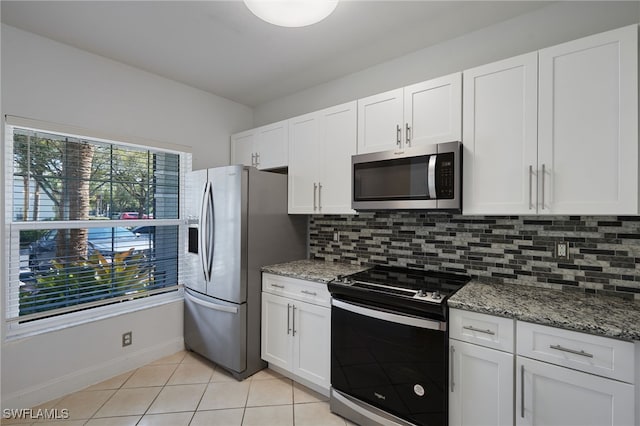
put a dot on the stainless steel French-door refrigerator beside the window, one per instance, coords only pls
(238, 223)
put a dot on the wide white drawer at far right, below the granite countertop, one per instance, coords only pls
(584, 352)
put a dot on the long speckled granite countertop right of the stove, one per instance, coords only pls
(595, 314)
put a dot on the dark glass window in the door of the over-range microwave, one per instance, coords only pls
(399, 179)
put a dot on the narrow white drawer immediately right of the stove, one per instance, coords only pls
(482, 329)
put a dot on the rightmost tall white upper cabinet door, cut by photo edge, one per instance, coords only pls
(588, 132)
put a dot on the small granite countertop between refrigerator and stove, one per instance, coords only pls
(313, 270)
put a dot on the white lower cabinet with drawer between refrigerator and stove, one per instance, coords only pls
(296, 331)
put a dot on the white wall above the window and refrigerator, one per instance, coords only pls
(49, 81)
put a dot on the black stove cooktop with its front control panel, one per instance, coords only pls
(411, 291)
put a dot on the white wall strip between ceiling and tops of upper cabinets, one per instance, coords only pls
(544, 27)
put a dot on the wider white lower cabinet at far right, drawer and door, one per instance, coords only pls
(566, 378)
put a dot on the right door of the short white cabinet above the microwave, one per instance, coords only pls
(433, 111)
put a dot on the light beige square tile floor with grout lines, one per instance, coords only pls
(186, 389)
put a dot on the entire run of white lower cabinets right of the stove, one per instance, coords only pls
(506, 372)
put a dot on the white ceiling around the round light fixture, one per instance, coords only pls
(220, 47)
